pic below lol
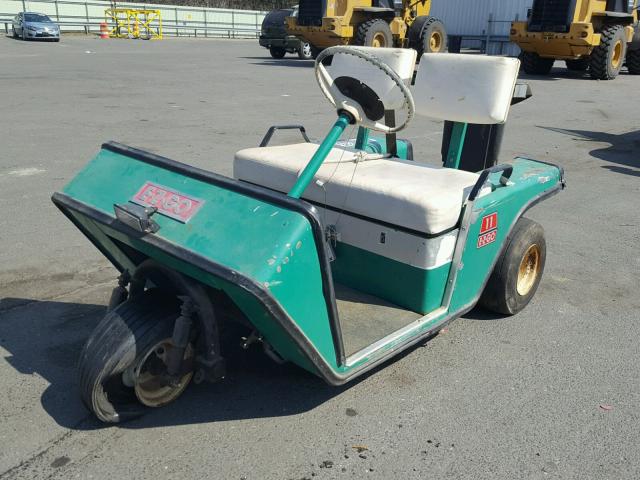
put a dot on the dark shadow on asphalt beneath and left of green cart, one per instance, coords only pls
(44, 339)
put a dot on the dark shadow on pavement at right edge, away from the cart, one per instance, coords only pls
(623, 148)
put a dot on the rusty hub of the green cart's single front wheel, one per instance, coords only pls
(150, 386)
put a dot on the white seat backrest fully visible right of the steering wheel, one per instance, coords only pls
(465, 88)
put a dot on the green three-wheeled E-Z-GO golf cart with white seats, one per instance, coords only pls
(330, 256)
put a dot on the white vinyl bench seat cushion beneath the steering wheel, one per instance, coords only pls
(415, 196)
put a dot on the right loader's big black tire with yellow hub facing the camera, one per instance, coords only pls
(608, 57)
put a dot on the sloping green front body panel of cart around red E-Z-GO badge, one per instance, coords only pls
(268, 243)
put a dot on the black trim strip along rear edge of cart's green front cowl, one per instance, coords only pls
(299, 206)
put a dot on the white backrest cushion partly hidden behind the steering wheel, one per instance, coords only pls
(401, 60)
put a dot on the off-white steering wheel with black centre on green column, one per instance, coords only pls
(356, 97)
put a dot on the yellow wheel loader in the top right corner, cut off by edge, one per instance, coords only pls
(594, 35)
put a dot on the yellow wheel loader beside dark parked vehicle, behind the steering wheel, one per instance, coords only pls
(371, 23)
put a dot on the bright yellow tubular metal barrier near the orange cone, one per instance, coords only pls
(131, 23)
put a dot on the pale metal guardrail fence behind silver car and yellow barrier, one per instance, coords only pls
(175, 26)
